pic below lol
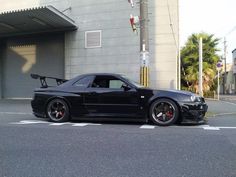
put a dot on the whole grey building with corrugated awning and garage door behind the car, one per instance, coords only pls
(64, 38)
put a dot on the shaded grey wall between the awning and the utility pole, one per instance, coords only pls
(120, 46)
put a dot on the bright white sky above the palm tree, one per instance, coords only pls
(211, 16)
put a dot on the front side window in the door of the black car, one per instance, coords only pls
(107, 82)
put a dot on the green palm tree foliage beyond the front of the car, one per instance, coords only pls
(190, 62)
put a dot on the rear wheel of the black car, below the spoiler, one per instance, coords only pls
(58, 111)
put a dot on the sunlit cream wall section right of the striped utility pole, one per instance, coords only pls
(163, 42)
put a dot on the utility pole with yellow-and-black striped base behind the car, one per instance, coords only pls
(144, 43)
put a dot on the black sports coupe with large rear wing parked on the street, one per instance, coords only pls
(94, 96)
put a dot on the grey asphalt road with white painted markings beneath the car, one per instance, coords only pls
(32, 147)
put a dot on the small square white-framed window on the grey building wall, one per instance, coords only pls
(93, 39)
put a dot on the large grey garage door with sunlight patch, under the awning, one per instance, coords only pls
(32, 54)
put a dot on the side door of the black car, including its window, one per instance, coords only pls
(115, 97)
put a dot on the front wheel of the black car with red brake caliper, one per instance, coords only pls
(164, 112)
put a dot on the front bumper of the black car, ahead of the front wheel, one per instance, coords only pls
(193, 112)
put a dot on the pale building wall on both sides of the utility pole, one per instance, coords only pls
(120, 46)
